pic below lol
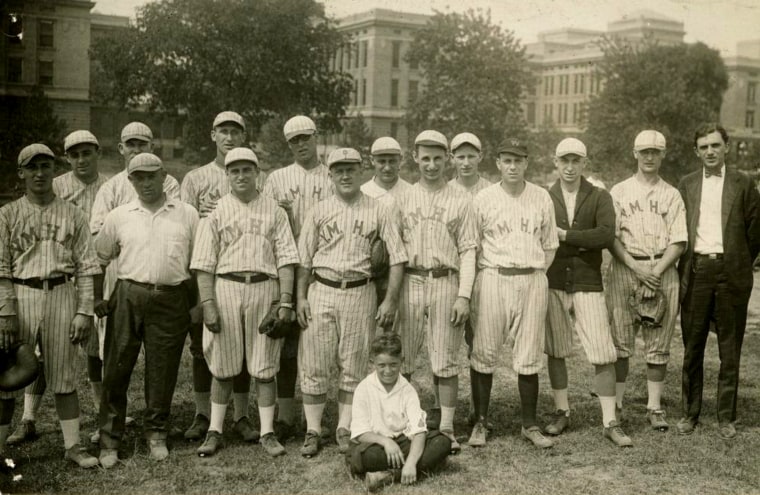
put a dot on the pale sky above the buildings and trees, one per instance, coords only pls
(718, 23)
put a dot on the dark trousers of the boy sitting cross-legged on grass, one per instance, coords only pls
(370, 457)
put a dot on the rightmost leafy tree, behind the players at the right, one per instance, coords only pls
(668, 88)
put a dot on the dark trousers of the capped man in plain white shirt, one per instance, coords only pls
(158, 320)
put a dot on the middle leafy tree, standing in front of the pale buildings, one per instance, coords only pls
(475, 73)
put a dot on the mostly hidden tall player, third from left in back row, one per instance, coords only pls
(202, 189)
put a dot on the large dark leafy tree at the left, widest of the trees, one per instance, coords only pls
(261, 58)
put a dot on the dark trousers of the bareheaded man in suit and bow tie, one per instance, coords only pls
(707, 299)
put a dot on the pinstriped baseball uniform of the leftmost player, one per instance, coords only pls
(47, 242)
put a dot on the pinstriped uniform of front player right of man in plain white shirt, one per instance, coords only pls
(243, 237)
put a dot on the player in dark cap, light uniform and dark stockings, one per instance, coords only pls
(518, 238)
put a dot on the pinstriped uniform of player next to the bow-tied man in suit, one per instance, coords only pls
(649, 219)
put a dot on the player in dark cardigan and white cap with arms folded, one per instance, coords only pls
(585, 226)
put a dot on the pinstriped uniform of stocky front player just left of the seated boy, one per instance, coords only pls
(335, 242)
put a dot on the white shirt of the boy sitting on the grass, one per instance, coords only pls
(389, 414)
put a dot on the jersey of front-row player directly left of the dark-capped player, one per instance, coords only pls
(436, 226)
